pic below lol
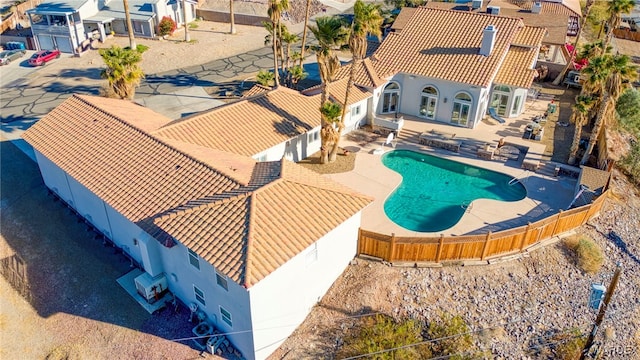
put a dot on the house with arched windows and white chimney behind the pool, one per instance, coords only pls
(452, 66)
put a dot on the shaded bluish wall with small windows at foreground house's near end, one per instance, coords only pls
(181, 276)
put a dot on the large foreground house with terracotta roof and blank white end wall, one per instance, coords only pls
(253, 244)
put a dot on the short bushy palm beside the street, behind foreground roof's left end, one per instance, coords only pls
(122, 71)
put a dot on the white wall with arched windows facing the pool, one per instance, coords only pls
(411, 94)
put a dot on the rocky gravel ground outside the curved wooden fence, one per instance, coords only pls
(516, 307)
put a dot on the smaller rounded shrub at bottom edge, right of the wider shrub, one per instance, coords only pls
(454, 338)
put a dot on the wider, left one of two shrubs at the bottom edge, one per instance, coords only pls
(381, 332)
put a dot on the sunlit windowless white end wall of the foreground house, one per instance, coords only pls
(282, 300)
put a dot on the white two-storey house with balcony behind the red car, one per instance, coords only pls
(66, 25)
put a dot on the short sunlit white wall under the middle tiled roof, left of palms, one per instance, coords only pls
(295, 149)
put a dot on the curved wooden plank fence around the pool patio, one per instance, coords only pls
(400, 249)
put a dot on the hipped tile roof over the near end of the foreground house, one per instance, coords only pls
(250, 235)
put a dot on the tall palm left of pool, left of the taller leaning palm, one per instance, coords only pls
(330, 33)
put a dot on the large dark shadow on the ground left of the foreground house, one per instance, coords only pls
(58, 264)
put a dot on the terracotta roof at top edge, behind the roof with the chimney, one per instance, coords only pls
(556, 25)
